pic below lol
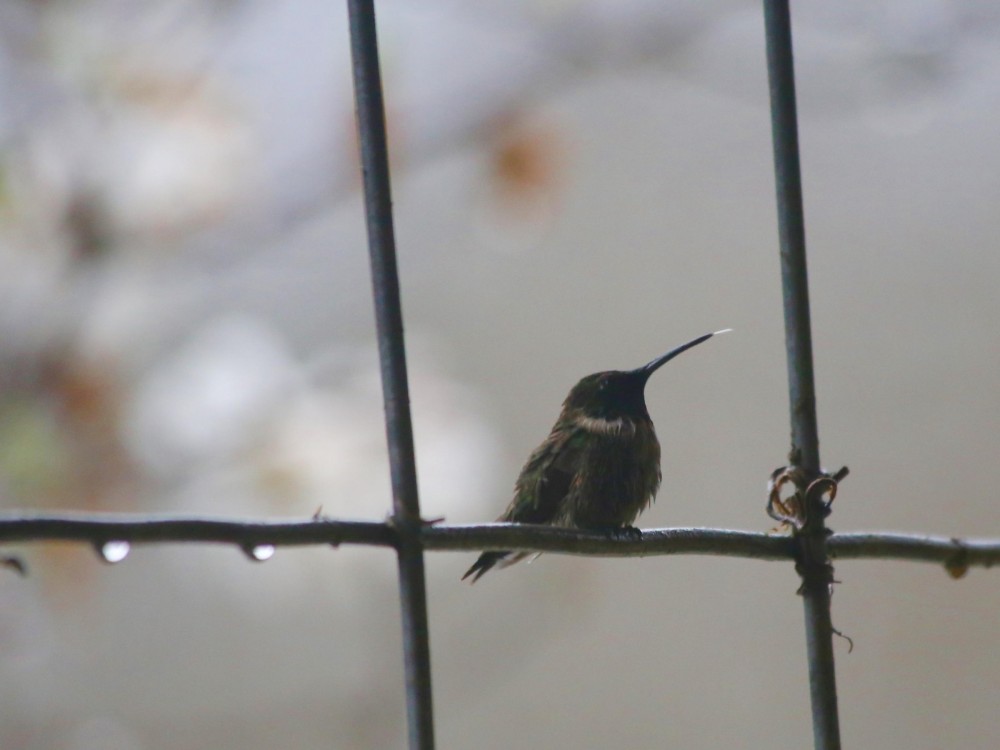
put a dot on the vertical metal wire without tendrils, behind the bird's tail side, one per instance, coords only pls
(392, 356)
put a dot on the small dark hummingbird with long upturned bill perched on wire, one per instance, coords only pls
(599, 468)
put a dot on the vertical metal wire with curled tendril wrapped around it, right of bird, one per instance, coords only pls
(801, 390)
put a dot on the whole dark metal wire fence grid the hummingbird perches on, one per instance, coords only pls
(811, 545)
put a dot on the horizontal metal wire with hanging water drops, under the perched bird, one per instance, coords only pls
(99, 529)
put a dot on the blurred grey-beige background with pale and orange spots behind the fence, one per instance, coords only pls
(186, 327)
